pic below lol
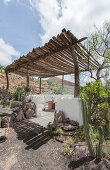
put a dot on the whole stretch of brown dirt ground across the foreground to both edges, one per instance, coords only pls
(21, 152)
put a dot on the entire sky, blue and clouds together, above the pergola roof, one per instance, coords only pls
(25, 24)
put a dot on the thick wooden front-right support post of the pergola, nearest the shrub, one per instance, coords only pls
(76, 72)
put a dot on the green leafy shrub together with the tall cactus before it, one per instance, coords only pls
(96, 115)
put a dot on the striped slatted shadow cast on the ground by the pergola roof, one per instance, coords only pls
(32, 134)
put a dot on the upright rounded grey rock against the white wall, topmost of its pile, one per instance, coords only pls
(59, 117)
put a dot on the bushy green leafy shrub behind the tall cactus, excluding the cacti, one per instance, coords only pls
(97, 98)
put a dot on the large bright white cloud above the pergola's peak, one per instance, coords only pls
(76, 15)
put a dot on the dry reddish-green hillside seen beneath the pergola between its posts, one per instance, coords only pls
(53, 85)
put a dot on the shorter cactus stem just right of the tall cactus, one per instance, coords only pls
(99, 145)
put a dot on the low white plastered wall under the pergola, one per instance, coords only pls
(66, 103)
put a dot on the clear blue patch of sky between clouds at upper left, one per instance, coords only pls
(19, 27)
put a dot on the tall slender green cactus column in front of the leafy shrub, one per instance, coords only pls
(86, 126)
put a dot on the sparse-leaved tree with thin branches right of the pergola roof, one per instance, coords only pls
(99, 46)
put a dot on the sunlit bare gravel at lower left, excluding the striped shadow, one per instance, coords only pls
(15, 156)
